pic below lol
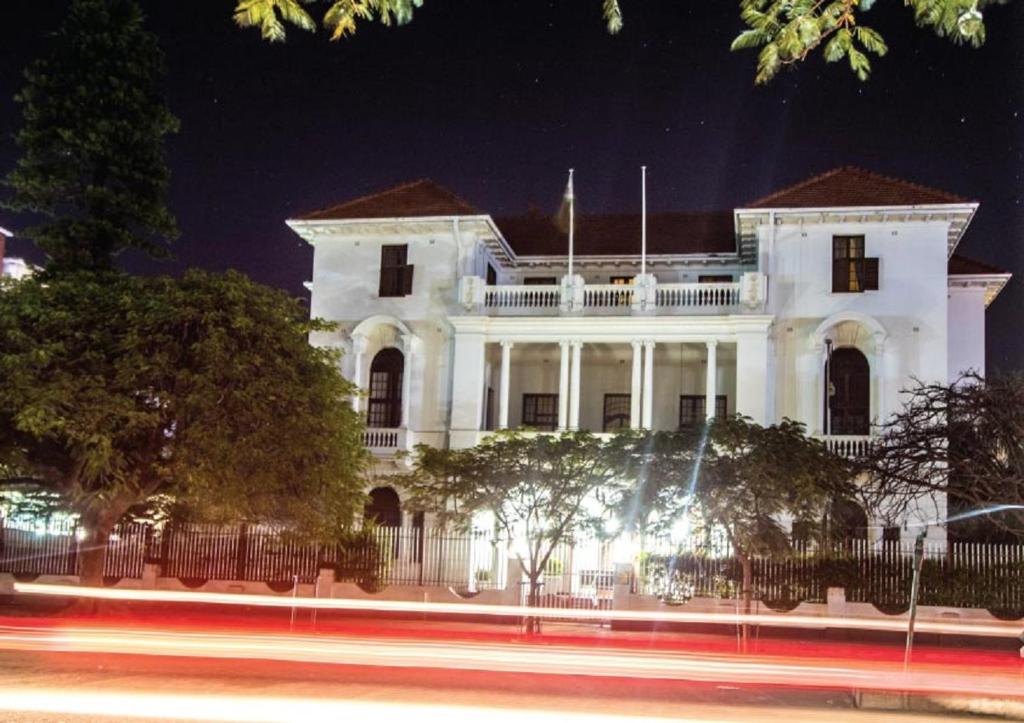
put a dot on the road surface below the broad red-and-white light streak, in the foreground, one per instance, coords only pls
(161, 689)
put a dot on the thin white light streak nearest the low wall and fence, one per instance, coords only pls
(1002, 630)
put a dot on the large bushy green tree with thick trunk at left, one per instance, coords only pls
(118, 389)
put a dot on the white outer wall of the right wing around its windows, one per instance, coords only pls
(911, 306)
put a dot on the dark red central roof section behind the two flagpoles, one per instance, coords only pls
(619, 234)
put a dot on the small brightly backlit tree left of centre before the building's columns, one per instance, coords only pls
(542, 490)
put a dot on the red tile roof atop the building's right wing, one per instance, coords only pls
(848, 186)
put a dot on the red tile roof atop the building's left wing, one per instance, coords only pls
(422, 198)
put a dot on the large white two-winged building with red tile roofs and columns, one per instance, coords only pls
(456, 323)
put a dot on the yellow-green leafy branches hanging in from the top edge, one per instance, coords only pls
(786, 31)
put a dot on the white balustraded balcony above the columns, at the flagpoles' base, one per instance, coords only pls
(646, 297)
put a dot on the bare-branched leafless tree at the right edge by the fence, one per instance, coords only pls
(964, 442)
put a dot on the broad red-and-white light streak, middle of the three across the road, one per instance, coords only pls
(511, 658)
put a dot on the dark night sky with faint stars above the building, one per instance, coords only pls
(497, 100)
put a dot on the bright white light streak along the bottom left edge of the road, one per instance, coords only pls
(257, 708)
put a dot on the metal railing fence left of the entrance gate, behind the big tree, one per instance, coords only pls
(195, 554)
